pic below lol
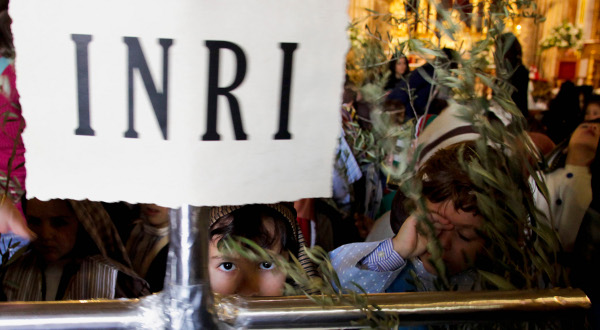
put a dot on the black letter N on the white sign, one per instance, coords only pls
(136, 60)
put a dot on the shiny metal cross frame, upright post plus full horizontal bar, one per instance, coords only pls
(187, 302)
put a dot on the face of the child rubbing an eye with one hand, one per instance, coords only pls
(461, 243)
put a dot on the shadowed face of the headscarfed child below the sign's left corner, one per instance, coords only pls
(56, 226)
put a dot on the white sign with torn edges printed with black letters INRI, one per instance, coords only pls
(195, 102)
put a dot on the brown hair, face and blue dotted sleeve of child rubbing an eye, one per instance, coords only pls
(452, 209)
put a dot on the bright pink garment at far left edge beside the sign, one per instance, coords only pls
(10, 129)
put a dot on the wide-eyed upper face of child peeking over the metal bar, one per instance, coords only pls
(231, 274)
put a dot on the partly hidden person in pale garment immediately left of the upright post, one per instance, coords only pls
(148, 245)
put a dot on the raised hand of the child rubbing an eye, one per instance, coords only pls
(411, 240)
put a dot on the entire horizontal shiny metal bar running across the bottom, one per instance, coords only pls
(301, 312)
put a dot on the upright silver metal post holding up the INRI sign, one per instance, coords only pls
(187, 285)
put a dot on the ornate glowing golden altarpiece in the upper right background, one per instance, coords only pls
(582, 13)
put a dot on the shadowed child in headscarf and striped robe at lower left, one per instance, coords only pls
(78, 255)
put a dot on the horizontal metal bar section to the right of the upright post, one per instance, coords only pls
(417, 308)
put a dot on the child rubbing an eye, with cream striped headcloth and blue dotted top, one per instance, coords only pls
(456, 230)
